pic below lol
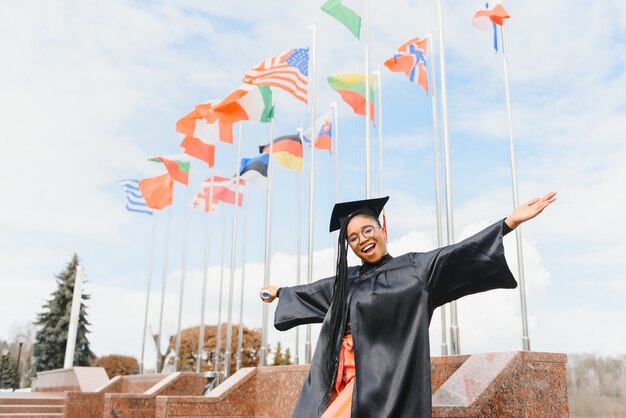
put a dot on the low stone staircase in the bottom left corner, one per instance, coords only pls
(30, 405)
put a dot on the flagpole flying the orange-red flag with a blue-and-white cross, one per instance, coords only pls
(433, 73)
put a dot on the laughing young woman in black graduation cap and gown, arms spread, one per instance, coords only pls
(372, 357)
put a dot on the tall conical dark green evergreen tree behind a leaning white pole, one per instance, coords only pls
(53, 323)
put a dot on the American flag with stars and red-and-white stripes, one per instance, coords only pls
(288, 70)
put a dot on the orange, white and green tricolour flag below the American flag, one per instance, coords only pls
(248, 102)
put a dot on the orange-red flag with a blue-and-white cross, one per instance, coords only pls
(410, 59)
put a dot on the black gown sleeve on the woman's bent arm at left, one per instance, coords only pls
(303, 304)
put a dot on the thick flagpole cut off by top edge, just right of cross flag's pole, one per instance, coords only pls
(455, 337)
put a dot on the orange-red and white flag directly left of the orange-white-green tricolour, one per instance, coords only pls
(200, 136)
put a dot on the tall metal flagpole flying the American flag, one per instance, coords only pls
(313, 29)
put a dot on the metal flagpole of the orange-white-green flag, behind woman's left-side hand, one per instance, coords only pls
(268, 231)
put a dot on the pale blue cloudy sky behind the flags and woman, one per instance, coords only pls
(91, 91)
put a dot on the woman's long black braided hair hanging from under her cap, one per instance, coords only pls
(338, 309)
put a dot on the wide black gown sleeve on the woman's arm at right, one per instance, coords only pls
(474, 265)
